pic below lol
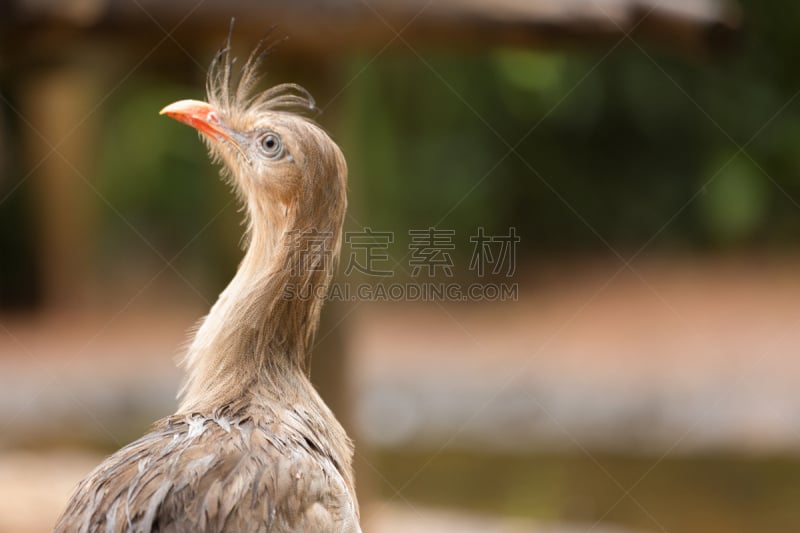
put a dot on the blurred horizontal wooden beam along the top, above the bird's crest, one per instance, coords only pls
(331, 26)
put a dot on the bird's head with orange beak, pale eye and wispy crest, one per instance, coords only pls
(283, 165)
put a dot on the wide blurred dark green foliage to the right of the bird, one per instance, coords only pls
(619, 148)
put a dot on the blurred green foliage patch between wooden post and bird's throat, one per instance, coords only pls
(156, 174)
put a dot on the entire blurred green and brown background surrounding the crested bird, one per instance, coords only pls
(640, 377)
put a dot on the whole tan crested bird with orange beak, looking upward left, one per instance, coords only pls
(252, 446)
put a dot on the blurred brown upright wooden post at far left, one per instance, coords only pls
(58, 137)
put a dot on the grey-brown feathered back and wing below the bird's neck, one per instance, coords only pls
(212, 474)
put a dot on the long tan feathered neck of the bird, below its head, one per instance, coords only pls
(257, 335)
